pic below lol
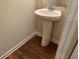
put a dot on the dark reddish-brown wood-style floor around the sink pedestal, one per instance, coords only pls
(33, 50)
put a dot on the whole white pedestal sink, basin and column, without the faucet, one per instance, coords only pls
(48, 18)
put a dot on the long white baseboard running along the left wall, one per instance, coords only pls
(18, 46)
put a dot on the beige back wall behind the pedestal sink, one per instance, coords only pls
(58, 26)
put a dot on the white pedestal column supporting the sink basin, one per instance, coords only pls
(47, 28)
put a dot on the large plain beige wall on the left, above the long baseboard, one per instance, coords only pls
(16, 22)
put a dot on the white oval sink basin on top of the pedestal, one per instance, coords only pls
(47, 15)
